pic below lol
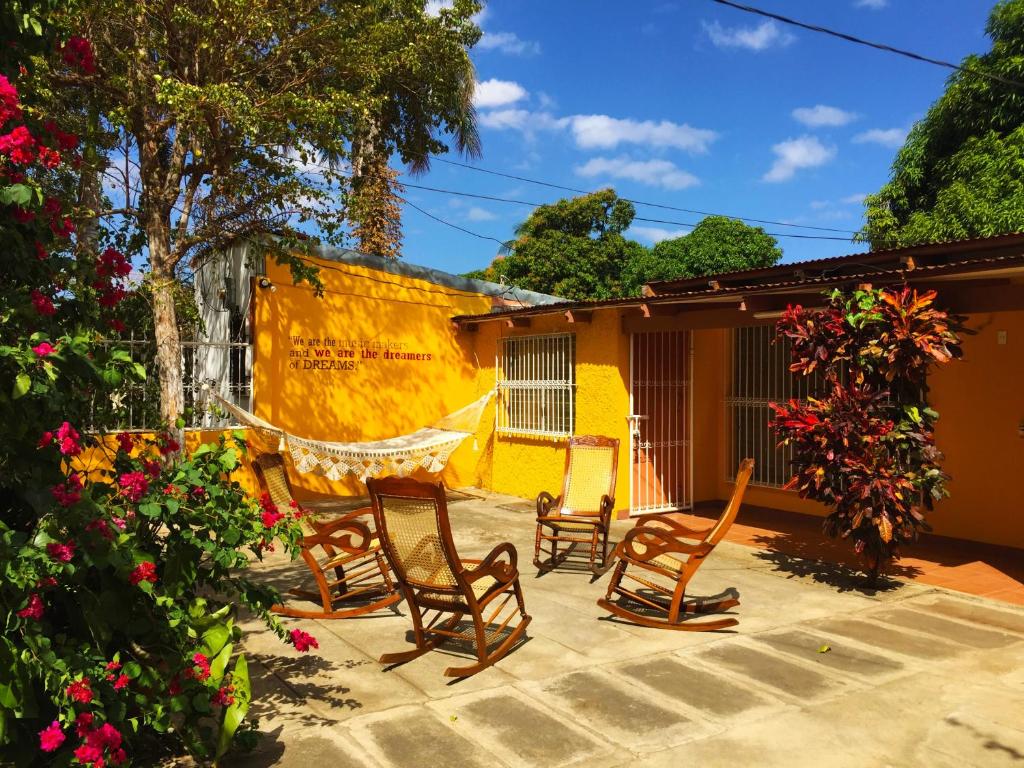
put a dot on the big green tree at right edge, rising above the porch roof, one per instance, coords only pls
(961, 174)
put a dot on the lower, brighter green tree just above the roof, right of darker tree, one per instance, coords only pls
(717, 245)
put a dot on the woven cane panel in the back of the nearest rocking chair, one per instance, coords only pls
(413, 534)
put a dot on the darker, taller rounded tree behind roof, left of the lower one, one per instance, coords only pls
(574, 248)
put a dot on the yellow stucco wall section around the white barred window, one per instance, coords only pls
(526, 466)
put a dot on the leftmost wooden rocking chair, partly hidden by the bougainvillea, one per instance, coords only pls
(351, 573)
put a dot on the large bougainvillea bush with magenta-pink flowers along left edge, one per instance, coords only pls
(120, 573)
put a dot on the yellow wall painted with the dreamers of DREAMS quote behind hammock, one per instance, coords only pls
(364, 397)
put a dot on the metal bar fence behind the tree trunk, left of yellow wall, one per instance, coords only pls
(225, 368)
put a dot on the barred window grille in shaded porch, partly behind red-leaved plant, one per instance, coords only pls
(759, 375)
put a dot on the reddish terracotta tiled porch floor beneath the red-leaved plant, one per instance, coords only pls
(983, 570)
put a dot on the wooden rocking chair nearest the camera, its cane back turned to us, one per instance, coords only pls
(413, 521)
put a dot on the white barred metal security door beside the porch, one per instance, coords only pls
(661, 421)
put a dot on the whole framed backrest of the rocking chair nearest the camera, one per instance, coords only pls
(413, 523)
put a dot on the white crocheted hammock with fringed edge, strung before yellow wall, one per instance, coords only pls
(430, 448)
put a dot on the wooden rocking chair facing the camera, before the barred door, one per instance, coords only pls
(582, 515)
